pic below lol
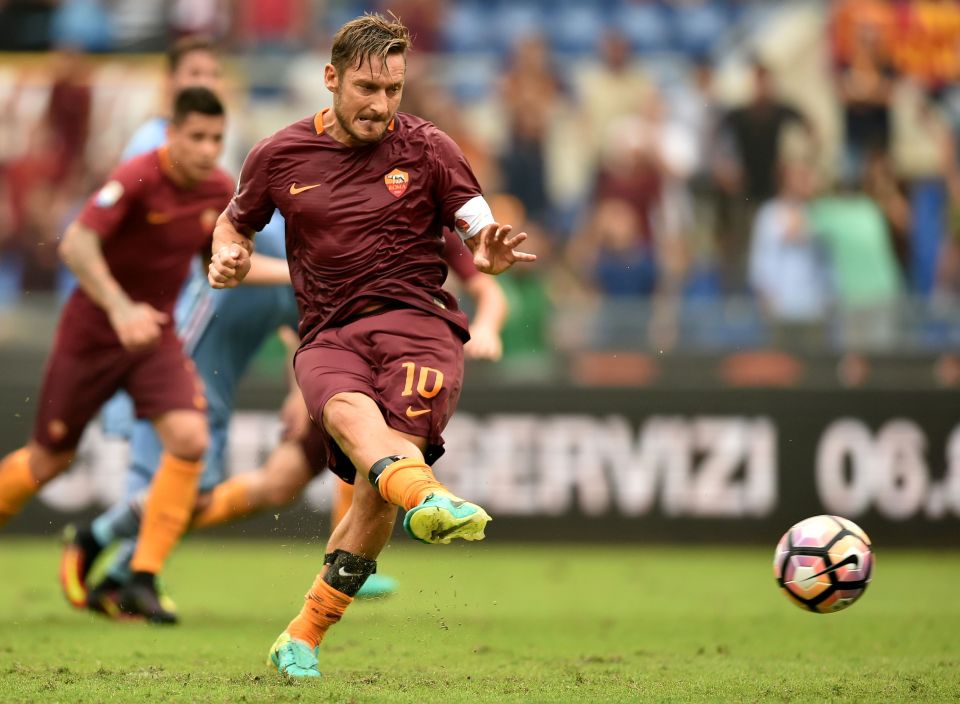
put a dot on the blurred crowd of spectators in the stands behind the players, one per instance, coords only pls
(695, 174)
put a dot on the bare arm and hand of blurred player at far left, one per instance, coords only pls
(138, 325)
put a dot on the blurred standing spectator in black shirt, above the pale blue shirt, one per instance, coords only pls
(747, 174)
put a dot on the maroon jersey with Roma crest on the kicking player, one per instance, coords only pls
(364, 225)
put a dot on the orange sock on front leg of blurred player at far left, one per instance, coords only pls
(166, 512)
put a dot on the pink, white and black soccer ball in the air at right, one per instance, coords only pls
(823, 563)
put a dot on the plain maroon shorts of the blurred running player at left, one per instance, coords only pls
(80, 378)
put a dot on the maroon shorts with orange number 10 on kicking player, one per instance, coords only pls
(408, 361)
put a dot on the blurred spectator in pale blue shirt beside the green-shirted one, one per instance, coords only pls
(788, 270)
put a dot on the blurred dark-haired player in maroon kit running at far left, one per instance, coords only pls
(130, 249)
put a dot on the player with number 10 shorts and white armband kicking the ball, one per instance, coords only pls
(365, 191)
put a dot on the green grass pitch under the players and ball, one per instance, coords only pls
(493, 623)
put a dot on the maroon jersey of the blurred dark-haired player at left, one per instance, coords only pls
(151, 228)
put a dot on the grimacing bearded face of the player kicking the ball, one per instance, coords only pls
(365, 99)
